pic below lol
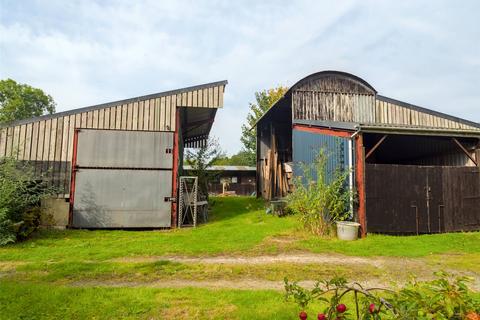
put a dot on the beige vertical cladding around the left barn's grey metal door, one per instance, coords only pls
(47, 141)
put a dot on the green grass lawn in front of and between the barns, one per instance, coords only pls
(50, 275)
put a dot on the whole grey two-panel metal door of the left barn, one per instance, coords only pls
(123, 179)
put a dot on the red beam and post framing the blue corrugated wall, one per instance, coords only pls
(359, 166)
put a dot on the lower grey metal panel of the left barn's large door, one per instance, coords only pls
(122, 198)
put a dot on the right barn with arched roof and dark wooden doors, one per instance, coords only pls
(414, 170)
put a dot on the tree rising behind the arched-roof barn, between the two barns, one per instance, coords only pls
(264, 100)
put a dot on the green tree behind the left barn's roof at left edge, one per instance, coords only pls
(21, 101)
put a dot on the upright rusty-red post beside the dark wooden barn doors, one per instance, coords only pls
(360, 180)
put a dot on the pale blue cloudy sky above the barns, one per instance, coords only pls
(89, 52)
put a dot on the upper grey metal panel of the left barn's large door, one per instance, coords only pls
(125, 149)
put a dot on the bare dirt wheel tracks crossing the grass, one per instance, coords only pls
(395, 269)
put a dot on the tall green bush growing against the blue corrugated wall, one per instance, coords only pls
(320, 197)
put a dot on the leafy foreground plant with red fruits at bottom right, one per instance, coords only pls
(443, 298)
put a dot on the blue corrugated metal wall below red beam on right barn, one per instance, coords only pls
(307, 146)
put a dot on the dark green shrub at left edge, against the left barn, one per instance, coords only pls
(20, 195)
